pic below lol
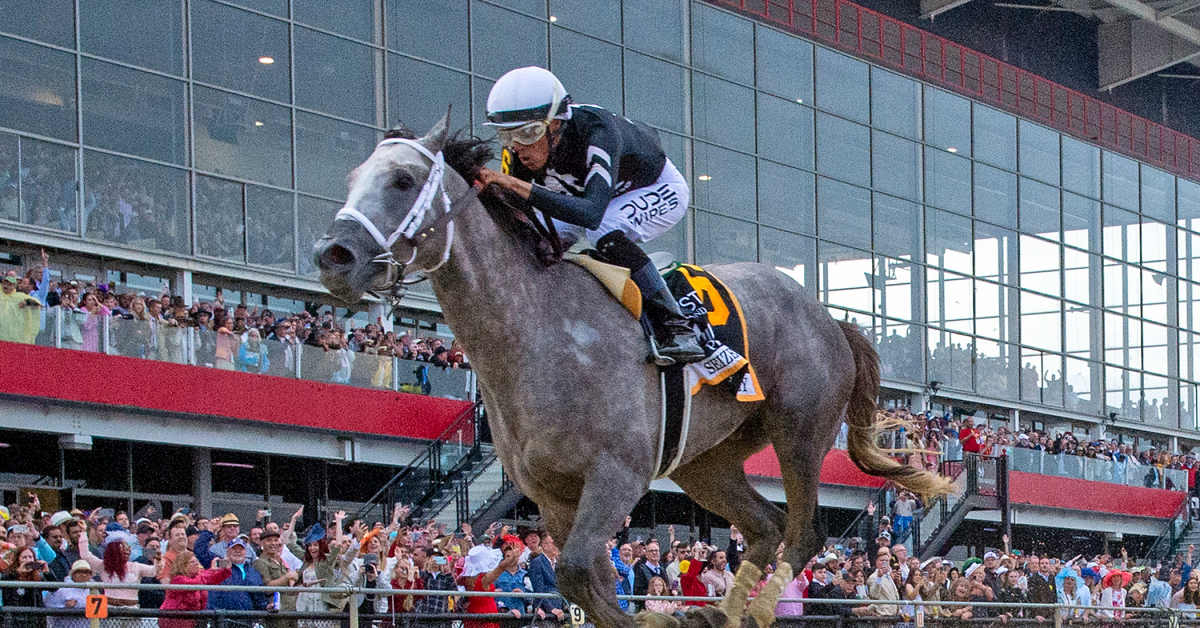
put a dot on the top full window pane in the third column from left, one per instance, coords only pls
(230, 46)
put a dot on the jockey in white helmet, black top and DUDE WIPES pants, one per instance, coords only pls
(597, 175)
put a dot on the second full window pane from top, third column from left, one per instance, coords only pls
(243, 137)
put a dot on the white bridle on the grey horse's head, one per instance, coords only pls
(410, 228)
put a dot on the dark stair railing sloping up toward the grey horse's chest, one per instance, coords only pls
(418, 483)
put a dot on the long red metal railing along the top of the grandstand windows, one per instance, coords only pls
(940, 62)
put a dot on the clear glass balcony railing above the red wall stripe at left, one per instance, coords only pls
(149, 340)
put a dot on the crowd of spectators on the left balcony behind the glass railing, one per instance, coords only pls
(232, 337)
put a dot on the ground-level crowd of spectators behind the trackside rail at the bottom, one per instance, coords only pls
(880, 578)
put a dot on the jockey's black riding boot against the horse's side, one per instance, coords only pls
(677, 339)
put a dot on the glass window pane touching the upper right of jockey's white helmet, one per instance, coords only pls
(592, 68)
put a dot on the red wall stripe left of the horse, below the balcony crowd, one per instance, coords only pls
(117, 381)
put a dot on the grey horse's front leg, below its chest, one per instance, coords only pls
(585, 571)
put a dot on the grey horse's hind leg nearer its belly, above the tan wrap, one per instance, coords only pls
(717, 481)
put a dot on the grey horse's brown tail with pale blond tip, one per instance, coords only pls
(861, 417)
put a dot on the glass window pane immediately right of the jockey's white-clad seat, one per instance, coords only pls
(730, 184)
